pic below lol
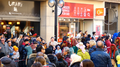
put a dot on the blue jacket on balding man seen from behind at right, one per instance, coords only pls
(101, 58)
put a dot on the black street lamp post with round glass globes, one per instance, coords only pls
(56, 3)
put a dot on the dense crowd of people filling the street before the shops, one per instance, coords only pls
(82, 51)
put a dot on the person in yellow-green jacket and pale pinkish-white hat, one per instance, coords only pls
(82, 52)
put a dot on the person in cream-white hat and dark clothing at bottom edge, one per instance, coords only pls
(75, 60)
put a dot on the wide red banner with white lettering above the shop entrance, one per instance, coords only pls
(75, 10)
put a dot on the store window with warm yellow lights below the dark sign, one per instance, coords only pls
(17, 27)
